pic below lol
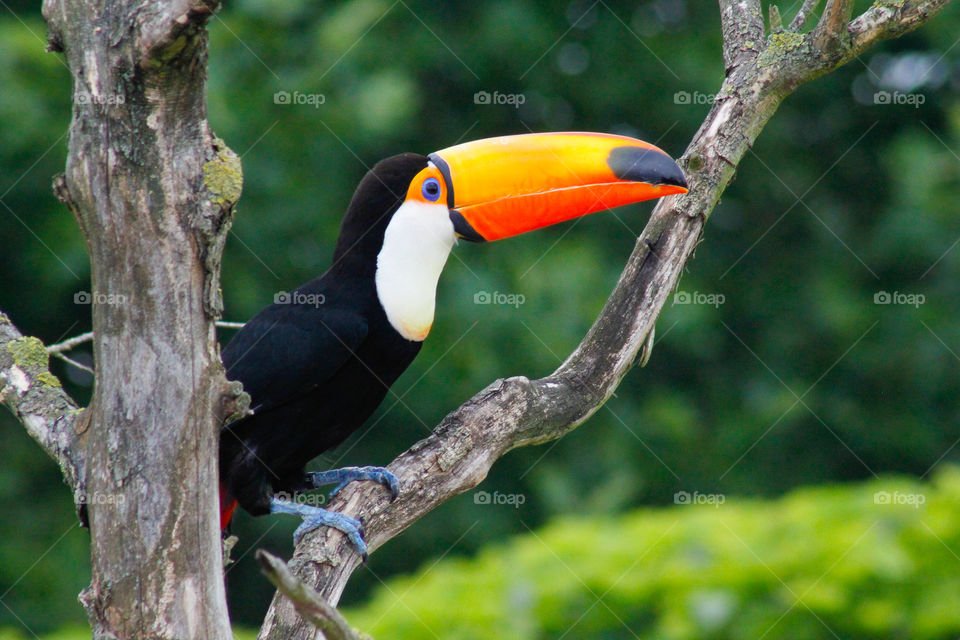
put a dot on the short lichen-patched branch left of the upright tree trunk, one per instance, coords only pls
(37, 399)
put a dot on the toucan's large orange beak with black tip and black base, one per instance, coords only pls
(501, 187)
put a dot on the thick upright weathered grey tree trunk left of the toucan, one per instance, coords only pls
(152, 191)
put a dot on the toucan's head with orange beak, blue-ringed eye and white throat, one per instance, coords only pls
(409, 209)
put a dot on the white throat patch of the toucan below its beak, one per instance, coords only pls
(416, 244)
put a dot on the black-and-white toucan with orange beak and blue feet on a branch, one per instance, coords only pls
(318, 362)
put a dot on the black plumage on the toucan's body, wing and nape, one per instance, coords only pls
(318, 365)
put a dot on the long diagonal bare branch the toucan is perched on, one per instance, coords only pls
(516, 411)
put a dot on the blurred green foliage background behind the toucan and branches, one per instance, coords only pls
(813, 339)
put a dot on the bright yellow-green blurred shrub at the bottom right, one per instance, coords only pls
(819, 563)
